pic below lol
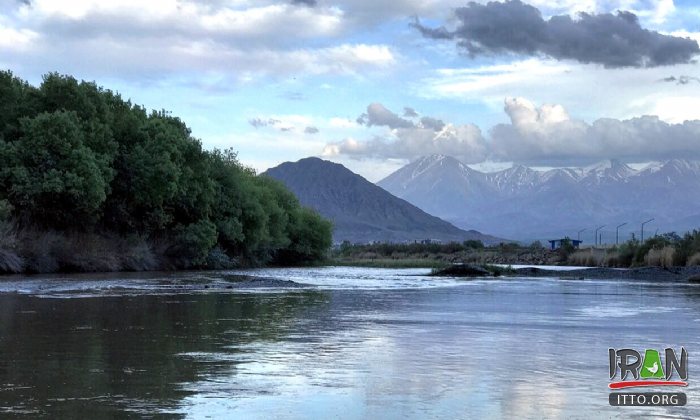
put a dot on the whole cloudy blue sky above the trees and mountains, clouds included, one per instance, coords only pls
(375, 84)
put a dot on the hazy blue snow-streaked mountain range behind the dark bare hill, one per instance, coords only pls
(526, 204)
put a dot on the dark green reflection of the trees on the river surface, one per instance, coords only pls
(111, 354)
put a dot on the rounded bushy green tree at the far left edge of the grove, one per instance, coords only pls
(53, 178)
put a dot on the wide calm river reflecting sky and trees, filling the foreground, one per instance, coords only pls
(347, 343)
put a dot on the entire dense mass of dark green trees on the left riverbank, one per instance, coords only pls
(76, 158)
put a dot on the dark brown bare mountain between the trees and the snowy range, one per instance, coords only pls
(360, 210)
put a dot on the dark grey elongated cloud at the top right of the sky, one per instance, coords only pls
(513, 27)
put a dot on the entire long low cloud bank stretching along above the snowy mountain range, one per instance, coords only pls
(543, 135)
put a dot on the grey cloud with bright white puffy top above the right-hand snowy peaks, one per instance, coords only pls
(547, 135)
